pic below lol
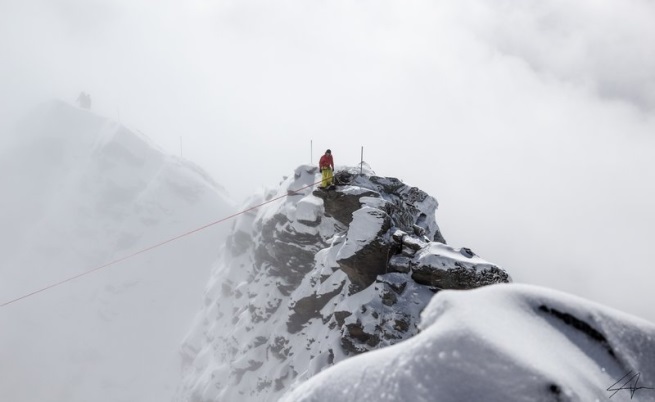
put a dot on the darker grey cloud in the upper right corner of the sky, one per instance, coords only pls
(593, 44)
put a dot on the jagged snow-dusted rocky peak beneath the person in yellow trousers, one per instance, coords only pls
(316, 278)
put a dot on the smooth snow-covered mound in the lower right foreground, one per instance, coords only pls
(502, 343)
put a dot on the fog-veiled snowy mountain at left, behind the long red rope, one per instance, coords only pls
(83, 191)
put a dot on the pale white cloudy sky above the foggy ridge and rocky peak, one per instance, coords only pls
(531, 122)
